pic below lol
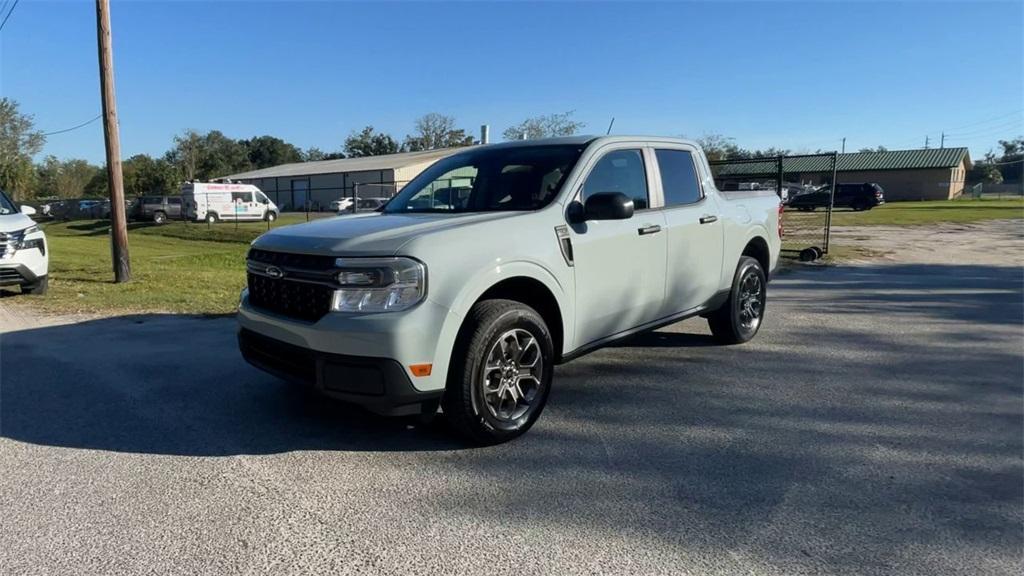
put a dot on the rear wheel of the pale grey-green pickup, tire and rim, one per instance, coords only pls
(732, 323)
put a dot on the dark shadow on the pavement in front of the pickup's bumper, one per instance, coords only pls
(175, 385)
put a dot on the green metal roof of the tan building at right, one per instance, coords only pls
(891, 160)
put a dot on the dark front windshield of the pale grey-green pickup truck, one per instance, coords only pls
(490, 180)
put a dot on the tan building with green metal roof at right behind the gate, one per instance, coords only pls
(905, 175)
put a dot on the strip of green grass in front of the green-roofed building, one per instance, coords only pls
(910, 214)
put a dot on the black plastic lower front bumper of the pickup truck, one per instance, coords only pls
(380, 385)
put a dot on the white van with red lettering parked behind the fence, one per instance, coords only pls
(214, 202)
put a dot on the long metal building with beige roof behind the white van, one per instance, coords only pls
(293, 186)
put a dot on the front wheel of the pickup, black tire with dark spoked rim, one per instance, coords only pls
(467, 407)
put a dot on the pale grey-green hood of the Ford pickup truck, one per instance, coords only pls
(365, 235)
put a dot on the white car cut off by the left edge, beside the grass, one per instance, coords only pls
(24, 260)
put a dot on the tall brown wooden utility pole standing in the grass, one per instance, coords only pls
(119, 224)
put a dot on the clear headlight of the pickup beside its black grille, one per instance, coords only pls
(379, 284)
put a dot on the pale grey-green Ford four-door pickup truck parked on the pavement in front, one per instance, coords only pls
(561, 248)
